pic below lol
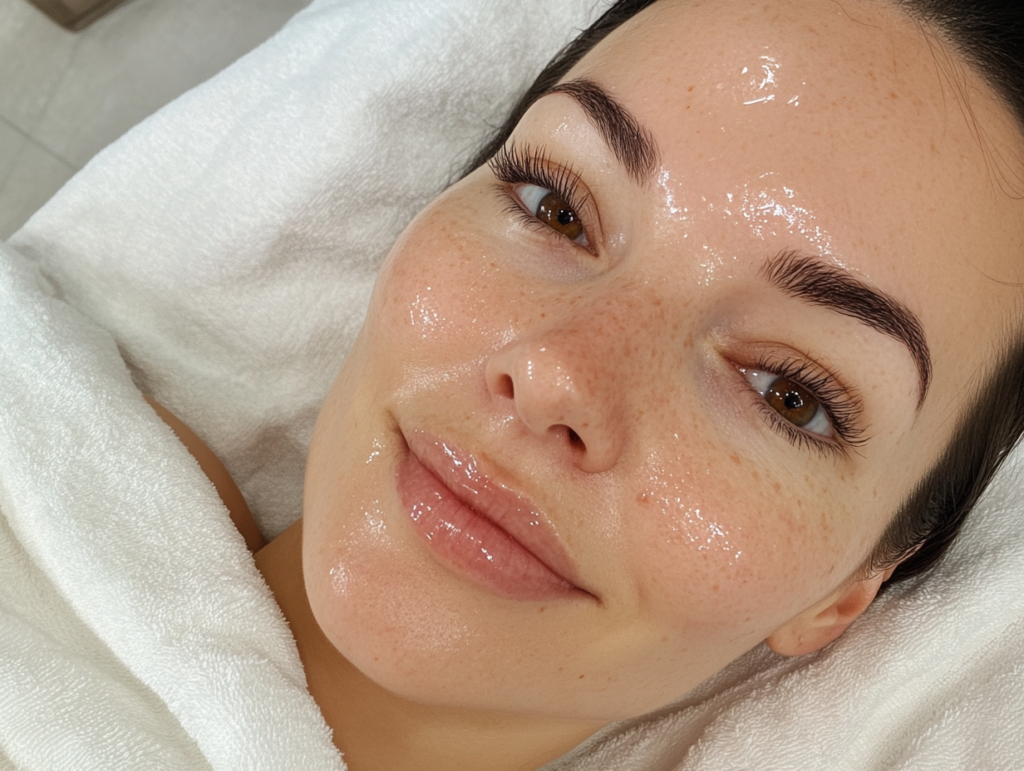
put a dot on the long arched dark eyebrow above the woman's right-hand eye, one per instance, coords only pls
(813, 281)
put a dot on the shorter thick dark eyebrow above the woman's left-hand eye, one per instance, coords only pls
(632, 144)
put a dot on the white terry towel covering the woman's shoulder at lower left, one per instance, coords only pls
(136, 631)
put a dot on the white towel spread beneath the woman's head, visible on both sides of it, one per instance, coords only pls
(229, 245)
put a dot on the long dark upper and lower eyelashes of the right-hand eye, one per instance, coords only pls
(842, 407)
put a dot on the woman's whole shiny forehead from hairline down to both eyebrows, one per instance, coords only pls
(842, 130)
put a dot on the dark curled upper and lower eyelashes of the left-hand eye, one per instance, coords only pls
(513, 166)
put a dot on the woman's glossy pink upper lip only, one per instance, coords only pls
(509, 510)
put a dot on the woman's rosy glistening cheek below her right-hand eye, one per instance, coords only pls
(730, 548)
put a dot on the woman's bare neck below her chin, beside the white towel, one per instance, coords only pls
(377, 730)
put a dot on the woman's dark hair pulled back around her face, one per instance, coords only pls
(990, 36)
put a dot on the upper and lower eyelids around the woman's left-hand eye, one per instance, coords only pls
(515, 167)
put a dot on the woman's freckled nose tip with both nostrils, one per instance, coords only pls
(563, 395)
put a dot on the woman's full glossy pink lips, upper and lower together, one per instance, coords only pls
(495, 537)
